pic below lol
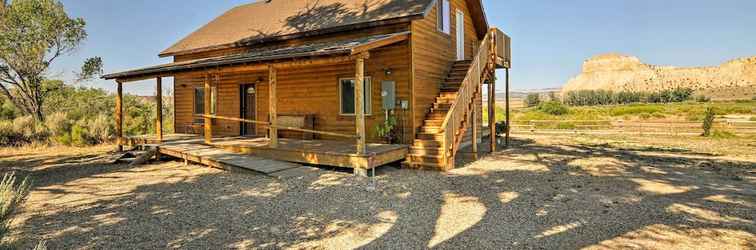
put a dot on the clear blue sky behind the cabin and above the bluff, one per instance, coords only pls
(551, 38)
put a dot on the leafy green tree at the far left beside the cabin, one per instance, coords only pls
(33, 34)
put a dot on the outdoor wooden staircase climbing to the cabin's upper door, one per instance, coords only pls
(438, 139)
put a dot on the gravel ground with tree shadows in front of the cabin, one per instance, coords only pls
(546, 192)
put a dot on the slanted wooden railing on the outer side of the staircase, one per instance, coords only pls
(454, 126)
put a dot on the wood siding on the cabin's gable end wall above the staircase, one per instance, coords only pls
(433, 52)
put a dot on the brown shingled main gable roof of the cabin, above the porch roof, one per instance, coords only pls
(271, 20)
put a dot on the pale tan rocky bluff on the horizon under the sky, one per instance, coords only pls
(735, 79)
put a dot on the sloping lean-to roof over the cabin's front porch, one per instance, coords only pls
(340, 47)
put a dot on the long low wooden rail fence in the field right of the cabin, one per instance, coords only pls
(744, 128)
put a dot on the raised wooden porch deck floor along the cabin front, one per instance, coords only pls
(315, 152)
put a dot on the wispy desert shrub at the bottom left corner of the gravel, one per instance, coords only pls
(12, 194)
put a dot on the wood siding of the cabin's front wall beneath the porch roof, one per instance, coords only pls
(309, 90)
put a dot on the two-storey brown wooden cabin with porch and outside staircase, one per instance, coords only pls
(329, 72)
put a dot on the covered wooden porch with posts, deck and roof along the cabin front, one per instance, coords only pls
(342, 148)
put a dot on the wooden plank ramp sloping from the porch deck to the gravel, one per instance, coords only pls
(223, 159)
